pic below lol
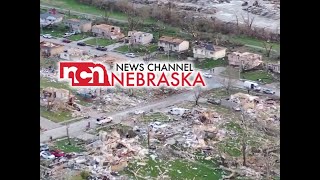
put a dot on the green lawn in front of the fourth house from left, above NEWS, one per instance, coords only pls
(138, 49)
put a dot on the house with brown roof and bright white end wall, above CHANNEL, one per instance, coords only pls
(167, 43)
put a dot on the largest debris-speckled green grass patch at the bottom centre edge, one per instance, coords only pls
(177, 169)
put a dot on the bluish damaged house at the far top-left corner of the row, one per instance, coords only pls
(51, 17)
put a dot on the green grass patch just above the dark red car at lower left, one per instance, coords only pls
(74, 147)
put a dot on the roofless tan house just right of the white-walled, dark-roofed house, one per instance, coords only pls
(246, 60)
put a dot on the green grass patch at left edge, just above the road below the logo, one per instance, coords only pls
(59, 116)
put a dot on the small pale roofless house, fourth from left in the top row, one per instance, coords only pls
(138, 37)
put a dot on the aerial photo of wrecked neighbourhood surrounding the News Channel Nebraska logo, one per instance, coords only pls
(228, 130)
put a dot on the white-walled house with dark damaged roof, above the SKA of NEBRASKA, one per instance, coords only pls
(208, 50)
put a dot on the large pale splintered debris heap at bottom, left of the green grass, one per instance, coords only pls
(111, 154)
